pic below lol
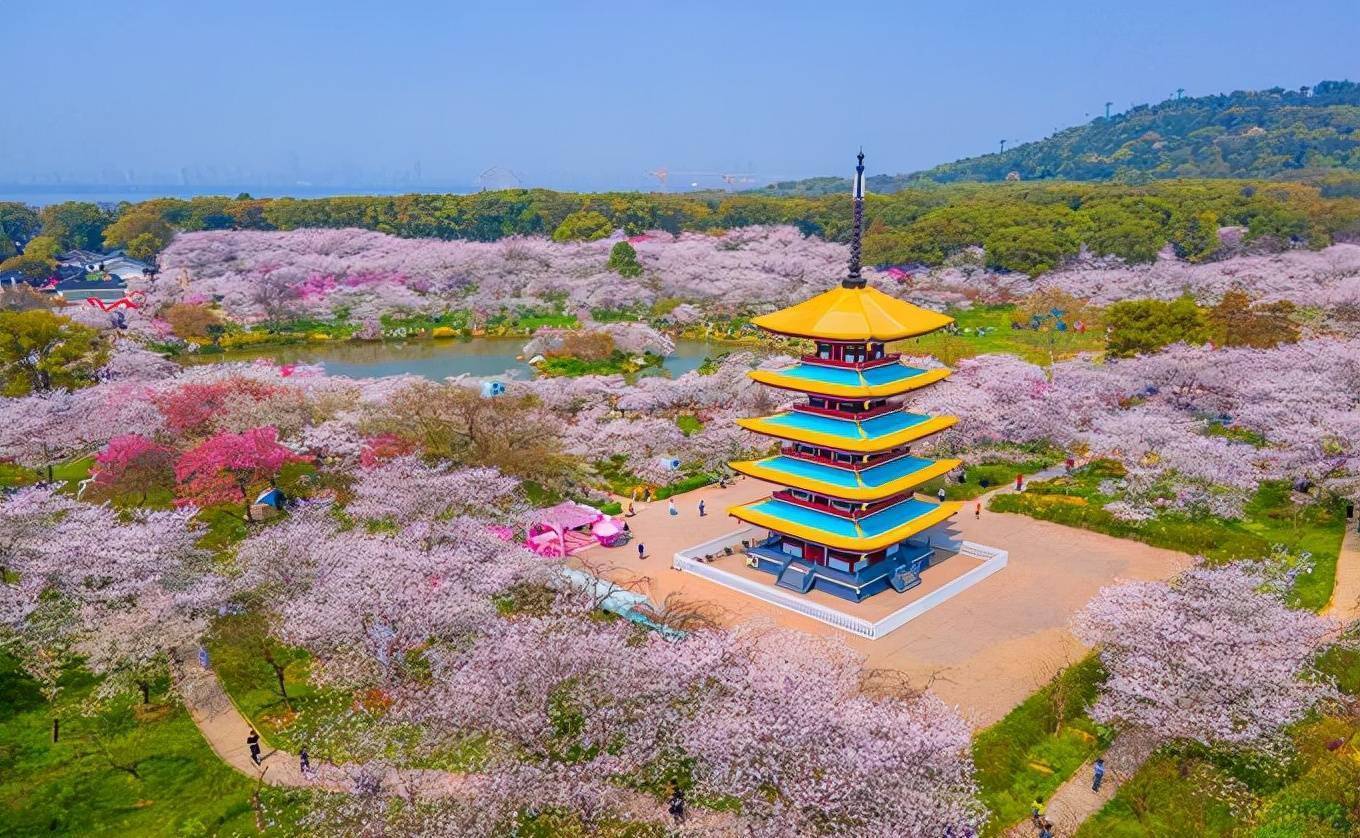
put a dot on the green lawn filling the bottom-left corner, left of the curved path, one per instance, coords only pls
(70, 788)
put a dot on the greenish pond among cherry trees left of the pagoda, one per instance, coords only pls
(436, 360)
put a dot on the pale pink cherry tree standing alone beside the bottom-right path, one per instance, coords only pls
(1212, 656)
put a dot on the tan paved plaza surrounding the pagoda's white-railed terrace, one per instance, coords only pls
(984, 651)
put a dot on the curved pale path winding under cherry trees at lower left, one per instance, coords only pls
(226, 728)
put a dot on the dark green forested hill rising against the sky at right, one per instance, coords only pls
(1264, 134)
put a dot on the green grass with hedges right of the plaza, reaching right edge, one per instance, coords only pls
(1271, 519)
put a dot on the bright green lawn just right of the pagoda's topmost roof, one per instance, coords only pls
(999, 338)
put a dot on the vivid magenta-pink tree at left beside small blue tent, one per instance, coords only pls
(228, 469)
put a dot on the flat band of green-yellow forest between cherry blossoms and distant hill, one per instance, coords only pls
(1023, 227)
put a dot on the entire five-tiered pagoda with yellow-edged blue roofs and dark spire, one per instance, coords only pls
(847, 520)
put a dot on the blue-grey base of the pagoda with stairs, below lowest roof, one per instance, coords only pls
(901, 573)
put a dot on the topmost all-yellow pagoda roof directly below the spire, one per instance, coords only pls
(853, 315)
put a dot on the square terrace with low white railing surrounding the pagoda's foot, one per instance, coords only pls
(731, 564)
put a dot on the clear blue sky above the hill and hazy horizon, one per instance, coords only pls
(596, 95)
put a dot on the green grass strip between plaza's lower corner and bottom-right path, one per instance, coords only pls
(1038, 745)
